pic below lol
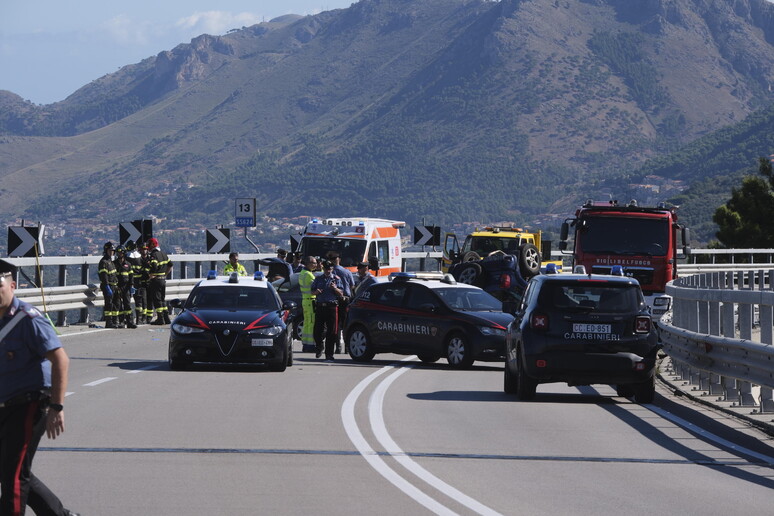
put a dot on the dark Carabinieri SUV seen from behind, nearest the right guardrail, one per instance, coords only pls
(581, 329)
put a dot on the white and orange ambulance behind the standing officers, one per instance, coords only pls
(376, 241)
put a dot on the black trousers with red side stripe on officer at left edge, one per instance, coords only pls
(21, 428)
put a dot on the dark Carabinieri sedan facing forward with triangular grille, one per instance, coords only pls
(232, 320)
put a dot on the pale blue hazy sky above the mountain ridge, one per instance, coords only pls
(50, 48)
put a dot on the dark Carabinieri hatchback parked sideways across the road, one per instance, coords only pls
(429, 315)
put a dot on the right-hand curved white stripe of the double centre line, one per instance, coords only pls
(376, 414)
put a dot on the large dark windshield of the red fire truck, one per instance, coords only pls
(632, 236)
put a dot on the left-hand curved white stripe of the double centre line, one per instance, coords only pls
(376, 462)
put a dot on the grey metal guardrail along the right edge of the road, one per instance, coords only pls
(720, 334)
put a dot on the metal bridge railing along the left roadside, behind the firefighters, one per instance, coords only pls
(84, 297)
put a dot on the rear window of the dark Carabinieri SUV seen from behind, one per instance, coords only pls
(591, 296)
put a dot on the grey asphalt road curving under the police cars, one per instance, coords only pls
(390, 437)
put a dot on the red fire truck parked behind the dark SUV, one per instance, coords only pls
(642, 240)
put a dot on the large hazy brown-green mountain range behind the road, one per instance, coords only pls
(453, 110)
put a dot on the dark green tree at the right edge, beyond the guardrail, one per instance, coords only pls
(745, 221)
